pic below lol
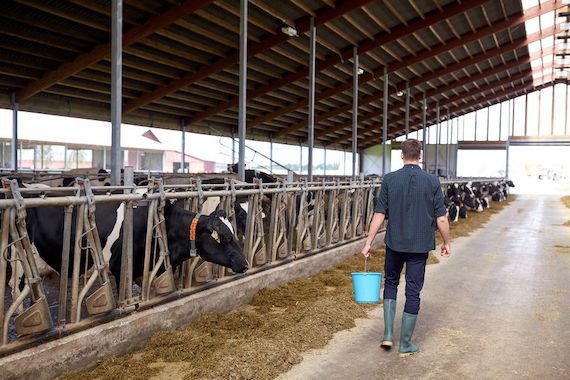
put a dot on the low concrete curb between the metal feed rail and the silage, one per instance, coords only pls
(80, 351)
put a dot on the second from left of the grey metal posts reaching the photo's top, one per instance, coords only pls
(242, 86)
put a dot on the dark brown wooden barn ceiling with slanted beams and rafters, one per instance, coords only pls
(180, 61)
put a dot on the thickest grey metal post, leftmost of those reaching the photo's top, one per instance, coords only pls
(116, 90)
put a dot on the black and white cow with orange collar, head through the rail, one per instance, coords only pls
(215, 241)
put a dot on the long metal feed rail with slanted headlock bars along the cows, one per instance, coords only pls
(286, 221)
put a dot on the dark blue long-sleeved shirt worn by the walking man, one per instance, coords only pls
(411, 199)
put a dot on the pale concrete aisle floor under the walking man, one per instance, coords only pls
(498, 308)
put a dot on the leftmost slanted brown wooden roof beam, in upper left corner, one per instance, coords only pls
(102, 51)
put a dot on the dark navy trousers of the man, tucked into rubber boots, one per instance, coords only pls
(415, 273)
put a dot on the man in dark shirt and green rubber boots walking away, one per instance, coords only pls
(412, 202)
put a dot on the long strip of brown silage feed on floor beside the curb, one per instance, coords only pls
(266, 337)
